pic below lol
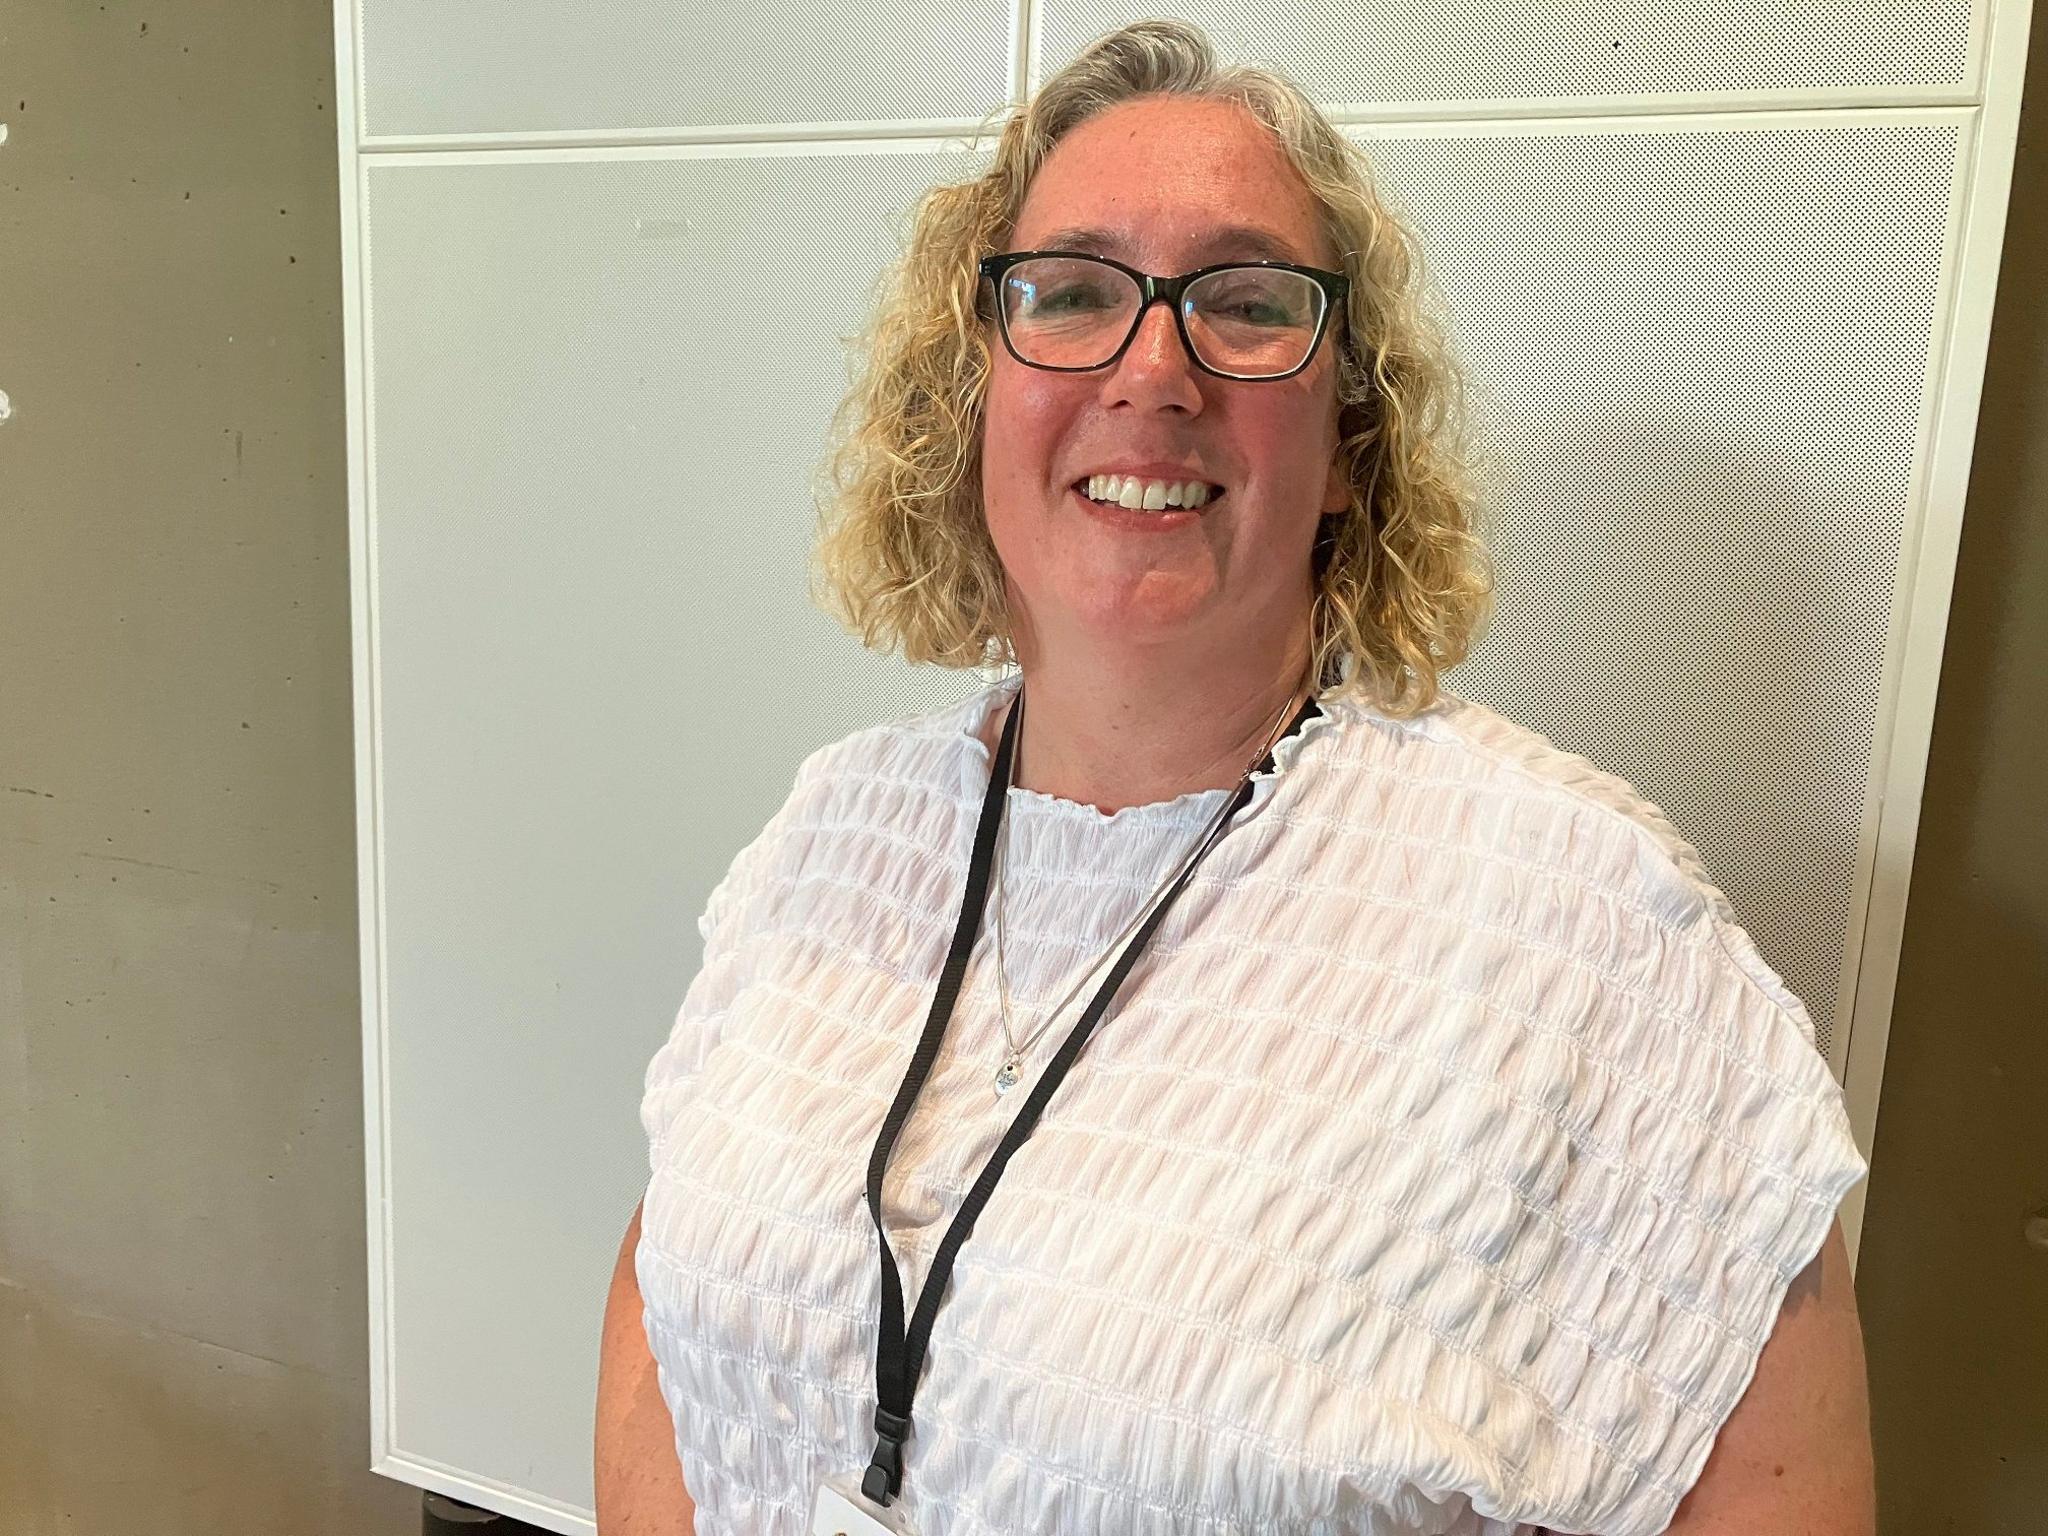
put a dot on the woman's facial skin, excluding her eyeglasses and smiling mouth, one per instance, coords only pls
(1166, 187)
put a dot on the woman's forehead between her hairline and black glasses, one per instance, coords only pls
(1170, 185)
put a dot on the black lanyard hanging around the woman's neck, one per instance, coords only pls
(898, 1357)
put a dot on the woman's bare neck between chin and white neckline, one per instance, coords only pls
(1115, 732)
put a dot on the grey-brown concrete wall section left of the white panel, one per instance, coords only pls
(183, 1338)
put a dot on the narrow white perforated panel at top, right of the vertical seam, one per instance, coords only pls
(1545, 50)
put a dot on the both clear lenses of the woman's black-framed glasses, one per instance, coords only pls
(1074, 314)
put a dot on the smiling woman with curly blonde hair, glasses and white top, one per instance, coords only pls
(1443, 1156)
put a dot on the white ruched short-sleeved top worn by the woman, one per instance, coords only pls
(1441, 1166)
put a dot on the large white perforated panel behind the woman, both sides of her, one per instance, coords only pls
(1703, 364)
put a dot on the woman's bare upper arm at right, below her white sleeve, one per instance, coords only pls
(1795, 1455)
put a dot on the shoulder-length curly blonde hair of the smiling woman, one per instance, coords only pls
(904, 556)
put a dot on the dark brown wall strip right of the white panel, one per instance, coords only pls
(1955, 1299)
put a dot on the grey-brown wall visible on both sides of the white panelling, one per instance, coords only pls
(181, 1166)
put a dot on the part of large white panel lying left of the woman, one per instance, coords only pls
(599, 392)
